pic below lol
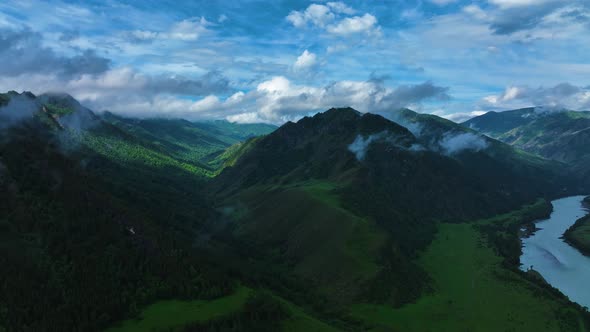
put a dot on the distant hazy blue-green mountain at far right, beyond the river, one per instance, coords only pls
(560, 135)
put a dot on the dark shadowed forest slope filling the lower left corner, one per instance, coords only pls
(75, 257)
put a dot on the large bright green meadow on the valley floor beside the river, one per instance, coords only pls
(472, 293)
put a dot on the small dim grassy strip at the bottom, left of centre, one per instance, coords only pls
(176, 314)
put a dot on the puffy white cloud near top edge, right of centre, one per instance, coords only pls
(335, 18)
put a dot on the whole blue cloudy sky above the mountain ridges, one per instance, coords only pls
(276, 61)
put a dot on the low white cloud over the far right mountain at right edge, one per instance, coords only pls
(564, 95)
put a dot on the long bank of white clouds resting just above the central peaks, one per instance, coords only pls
(276, 100)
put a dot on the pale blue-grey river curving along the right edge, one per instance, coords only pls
(563, 266)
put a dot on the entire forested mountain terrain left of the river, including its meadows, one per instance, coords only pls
(340, 221)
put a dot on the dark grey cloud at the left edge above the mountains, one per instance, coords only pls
(21, 52)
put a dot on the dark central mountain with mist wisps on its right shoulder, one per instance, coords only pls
(341, 180)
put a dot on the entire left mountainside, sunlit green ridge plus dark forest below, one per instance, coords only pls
(95, 221)
